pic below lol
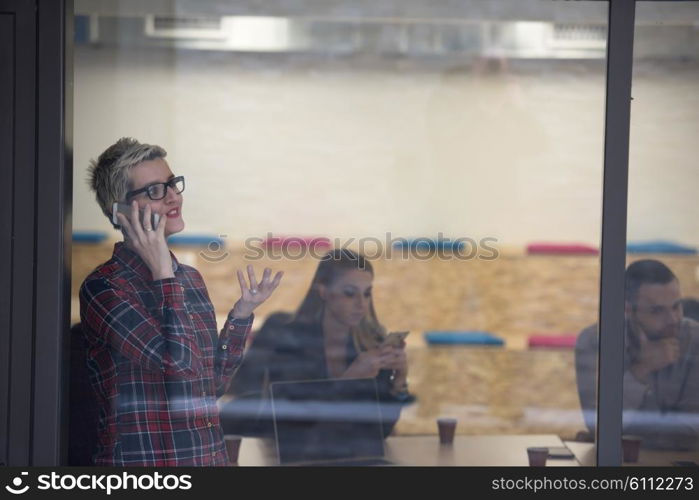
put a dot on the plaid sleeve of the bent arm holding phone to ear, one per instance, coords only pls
(162, 341)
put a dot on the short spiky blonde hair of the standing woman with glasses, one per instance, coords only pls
(108, 177)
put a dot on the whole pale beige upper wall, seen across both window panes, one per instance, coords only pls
(302, 146)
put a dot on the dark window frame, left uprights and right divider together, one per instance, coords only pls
(36, 343)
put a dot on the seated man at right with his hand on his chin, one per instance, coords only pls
(660, 370)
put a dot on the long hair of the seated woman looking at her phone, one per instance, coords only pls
(369, 333)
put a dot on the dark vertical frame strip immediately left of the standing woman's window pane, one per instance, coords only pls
(53, 202)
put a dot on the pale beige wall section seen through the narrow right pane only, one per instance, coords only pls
(664, 167)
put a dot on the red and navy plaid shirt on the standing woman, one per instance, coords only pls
(157, 363)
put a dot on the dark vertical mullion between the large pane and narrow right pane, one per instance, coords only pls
(614, 218)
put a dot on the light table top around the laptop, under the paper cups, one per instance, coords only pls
(508, 450)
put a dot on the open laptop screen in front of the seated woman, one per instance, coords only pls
(327, 420)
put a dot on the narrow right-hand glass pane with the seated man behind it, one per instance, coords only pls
(661, 384)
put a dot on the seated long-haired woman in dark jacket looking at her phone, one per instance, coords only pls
(334, 334)
